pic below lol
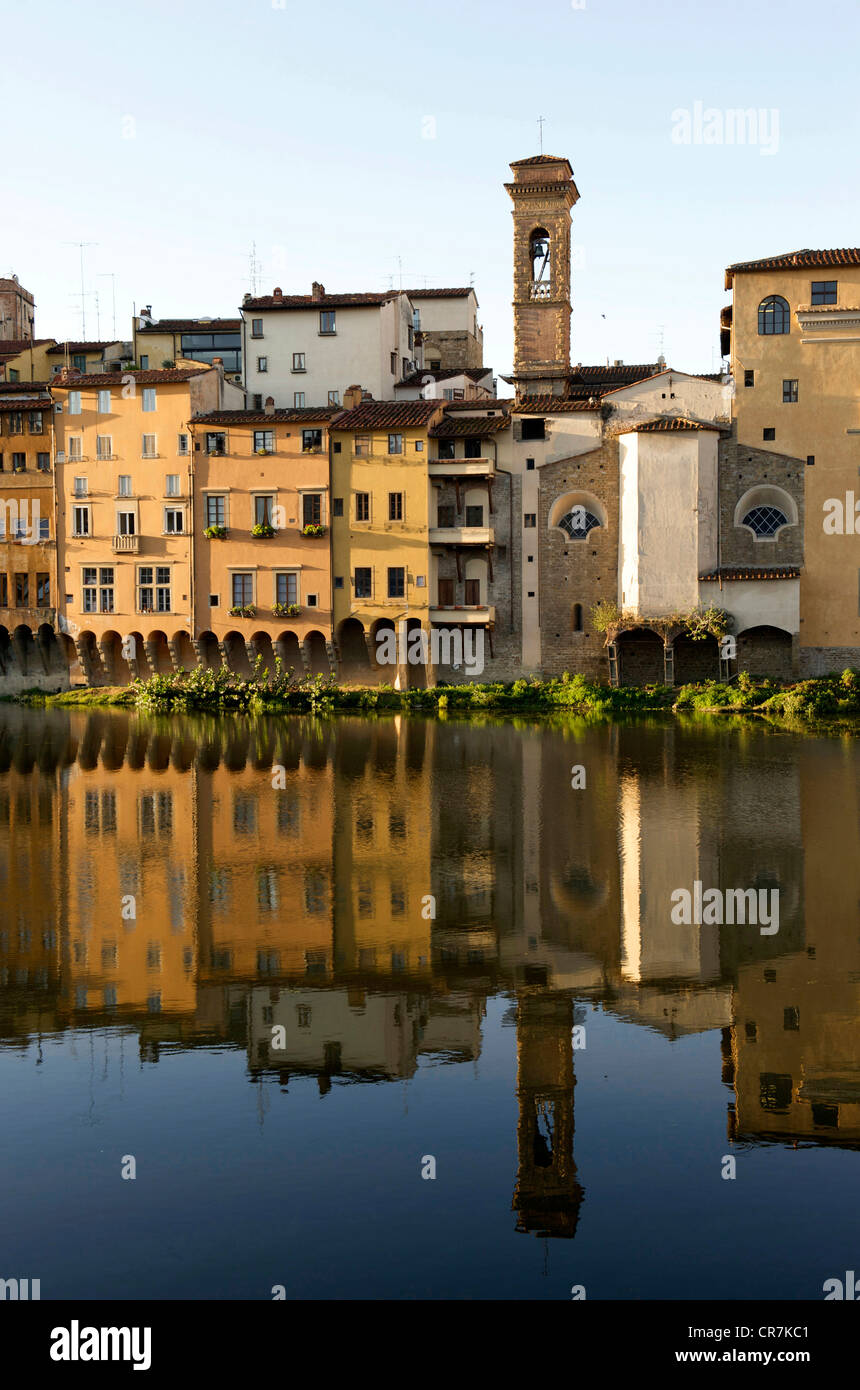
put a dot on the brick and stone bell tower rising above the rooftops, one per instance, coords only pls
(544, 194)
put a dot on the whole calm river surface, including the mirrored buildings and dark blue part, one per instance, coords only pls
(284, 963)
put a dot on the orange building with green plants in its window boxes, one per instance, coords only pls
(262, 539)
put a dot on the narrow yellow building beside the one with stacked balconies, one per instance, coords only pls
(381, 521)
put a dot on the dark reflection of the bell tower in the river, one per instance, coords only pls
(548, 1195)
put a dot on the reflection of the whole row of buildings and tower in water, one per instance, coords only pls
(358, 892)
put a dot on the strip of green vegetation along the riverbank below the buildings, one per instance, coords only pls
(827, 698)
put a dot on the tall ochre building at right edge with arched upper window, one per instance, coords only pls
(795, 358)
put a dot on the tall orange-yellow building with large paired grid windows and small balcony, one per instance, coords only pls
(124, 490)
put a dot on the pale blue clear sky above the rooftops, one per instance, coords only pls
(366, 145)
